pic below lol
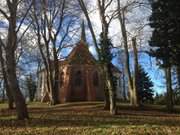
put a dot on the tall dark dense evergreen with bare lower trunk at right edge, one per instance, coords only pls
(165, 42)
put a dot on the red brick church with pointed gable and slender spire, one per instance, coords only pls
(80, 76)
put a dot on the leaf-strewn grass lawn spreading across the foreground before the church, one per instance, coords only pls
(89, 118)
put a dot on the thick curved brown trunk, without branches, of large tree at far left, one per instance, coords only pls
(10, 49)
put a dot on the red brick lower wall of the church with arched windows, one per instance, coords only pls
(86, 91)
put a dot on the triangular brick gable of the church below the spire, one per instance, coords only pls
(81, 55)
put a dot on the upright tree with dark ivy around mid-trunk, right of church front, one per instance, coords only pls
(106, 51)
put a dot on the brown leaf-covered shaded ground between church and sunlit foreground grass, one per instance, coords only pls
(91, 114)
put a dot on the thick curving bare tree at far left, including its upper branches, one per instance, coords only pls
(14, 26)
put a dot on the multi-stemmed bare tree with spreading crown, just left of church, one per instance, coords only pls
(52, 23)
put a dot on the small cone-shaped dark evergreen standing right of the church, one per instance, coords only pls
(145, 87)
